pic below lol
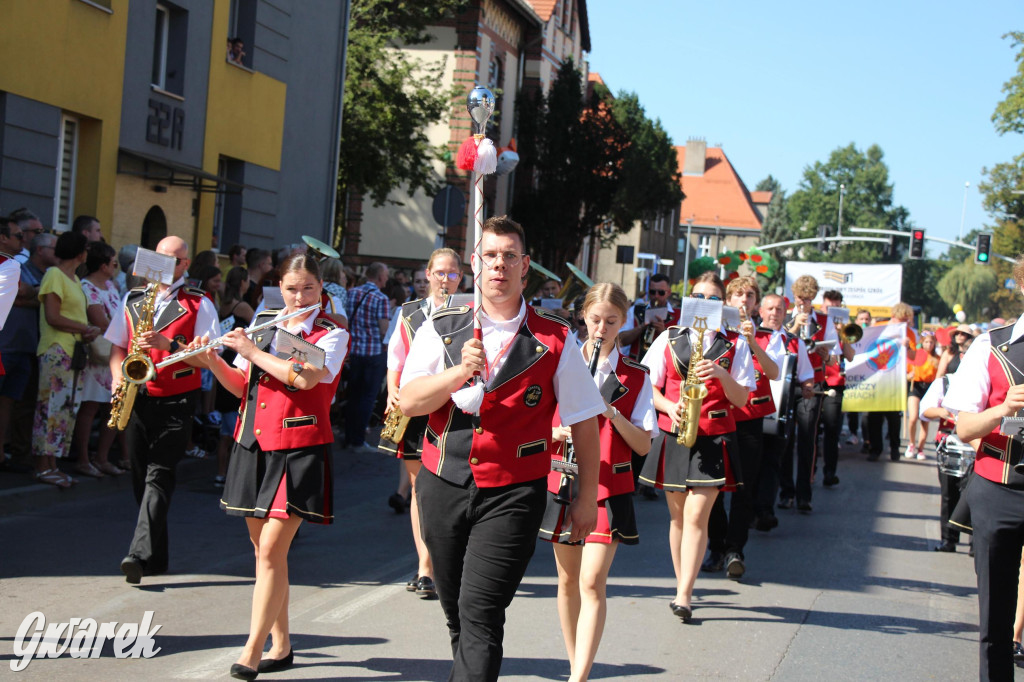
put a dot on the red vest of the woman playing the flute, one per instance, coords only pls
(282, 417)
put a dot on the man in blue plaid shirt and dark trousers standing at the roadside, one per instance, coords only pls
(369, 315)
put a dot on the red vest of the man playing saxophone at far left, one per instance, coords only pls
(178, 322)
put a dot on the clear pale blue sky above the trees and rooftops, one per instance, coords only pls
(781, 86)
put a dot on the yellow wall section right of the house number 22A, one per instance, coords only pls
(245, 117)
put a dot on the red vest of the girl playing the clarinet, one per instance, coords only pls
(620, 391)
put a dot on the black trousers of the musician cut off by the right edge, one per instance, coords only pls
(998, 519)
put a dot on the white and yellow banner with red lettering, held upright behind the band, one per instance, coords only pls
(876, 378)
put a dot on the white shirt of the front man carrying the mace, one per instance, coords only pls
(578, 399)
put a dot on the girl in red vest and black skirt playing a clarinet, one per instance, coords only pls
(627, 425)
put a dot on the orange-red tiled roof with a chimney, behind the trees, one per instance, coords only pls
(718, 198)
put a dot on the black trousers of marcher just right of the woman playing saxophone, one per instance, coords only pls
(730, 533)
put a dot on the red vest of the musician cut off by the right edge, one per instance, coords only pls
(999, 454)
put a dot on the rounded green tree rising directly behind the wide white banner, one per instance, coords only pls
(868, 202)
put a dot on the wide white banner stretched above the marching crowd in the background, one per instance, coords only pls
(862, 285)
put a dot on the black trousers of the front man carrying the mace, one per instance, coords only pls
(481, 541)
